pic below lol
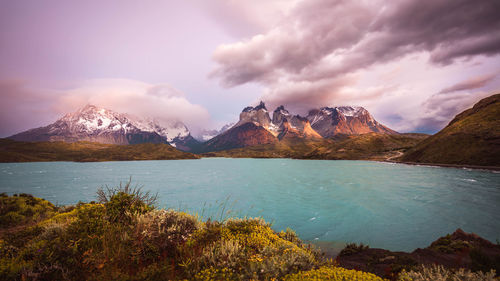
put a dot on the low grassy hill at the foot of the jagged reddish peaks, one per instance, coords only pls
(370, 146)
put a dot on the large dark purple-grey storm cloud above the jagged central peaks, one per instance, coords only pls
(323, 50)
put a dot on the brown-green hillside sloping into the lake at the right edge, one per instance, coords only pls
(471, 138)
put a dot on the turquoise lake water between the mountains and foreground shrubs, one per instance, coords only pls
(392, 206)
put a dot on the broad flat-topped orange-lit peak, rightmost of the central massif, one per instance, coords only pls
(348, 120)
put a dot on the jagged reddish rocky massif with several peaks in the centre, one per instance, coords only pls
(320, 123)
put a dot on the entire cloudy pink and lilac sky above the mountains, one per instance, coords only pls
(413, 64)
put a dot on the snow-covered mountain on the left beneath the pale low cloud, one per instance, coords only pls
(95, 124)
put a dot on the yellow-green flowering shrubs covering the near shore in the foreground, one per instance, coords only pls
(123, 237)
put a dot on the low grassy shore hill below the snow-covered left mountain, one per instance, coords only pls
(14, 151)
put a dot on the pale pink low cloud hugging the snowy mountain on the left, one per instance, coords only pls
(22, 107)
